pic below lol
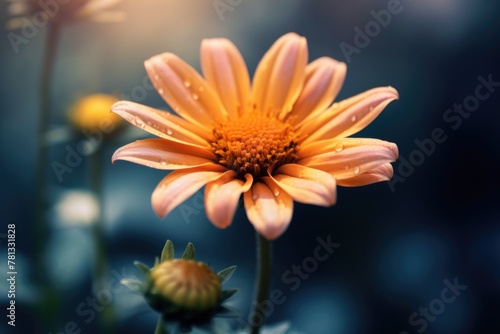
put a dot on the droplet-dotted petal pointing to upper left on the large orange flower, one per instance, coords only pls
(185, 90)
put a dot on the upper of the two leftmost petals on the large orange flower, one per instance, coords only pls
(162, 123)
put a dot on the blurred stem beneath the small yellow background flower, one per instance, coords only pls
(100, 261)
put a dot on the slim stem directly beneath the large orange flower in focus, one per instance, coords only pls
(263, 282)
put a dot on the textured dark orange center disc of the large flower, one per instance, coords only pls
(253, 143)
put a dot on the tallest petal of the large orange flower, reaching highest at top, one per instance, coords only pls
(279, 77)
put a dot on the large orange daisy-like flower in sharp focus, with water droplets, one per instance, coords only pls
(276, 140)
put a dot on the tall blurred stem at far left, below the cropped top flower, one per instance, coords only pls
(50, 300)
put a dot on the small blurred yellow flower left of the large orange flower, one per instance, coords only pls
(92, 112)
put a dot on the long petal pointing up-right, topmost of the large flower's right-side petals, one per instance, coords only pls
(349, 116)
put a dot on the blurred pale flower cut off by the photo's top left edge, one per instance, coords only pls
(39, 12)
